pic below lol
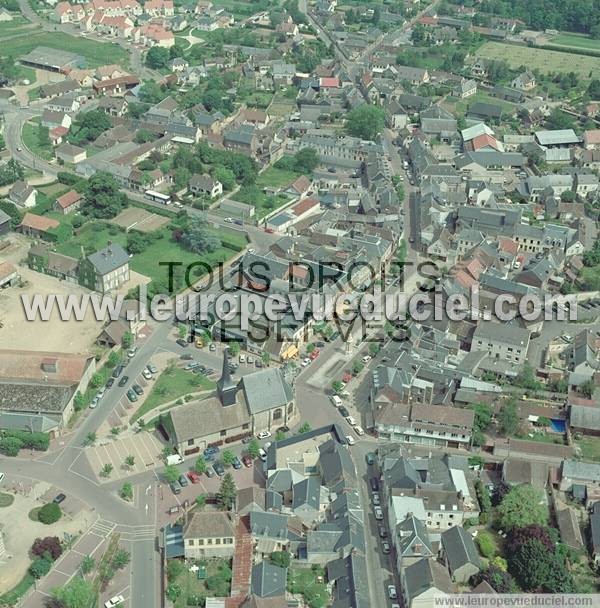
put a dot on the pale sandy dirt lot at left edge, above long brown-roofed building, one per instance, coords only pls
(60, 336)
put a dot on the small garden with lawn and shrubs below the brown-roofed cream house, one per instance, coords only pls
(216, 584)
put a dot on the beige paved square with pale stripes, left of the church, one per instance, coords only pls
(144, 447)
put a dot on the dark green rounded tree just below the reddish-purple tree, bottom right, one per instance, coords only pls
(537, 569)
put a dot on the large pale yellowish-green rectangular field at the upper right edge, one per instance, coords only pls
(541, 59)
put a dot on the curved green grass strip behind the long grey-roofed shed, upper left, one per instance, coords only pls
(95, 53)
